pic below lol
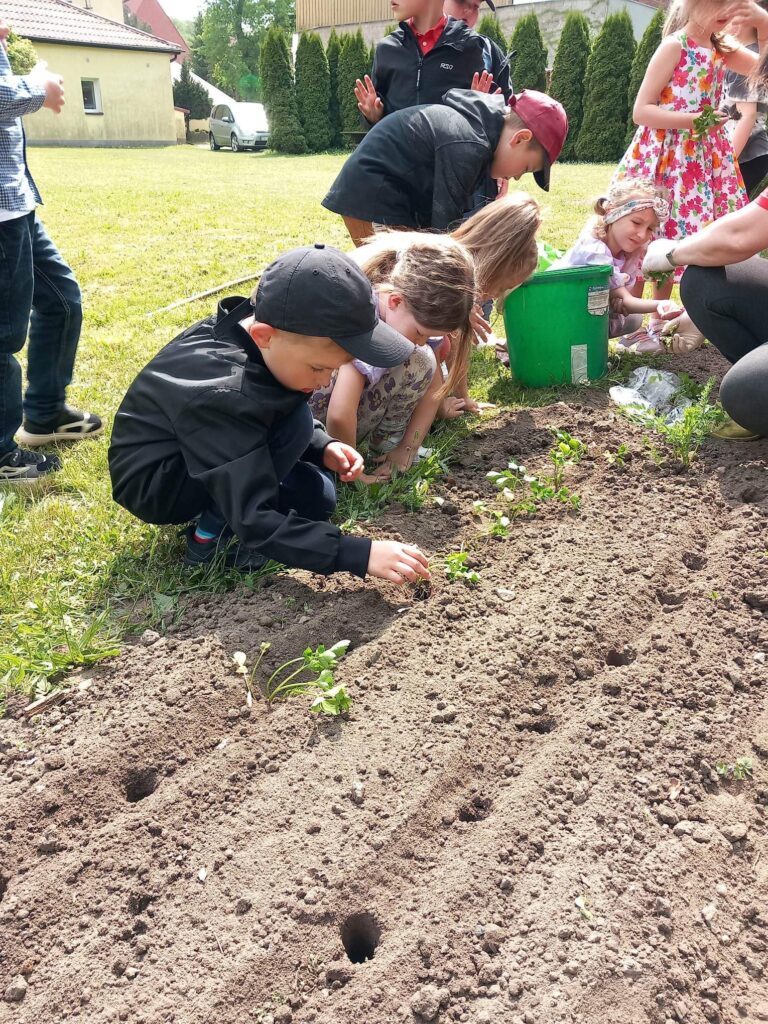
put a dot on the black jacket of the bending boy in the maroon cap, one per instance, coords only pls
(421, 167)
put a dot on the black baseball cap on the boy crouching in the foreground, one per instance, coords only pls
(317, 290)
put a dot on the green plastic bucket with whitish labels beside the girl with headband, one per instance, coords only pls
(558, 327)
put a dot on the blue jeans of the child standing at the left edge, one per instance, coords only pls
(38, 295)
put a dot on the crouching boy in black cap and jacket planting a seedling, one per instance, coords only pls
(217, 428)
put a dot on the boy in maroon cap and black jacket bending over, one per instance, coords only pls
(422, 167)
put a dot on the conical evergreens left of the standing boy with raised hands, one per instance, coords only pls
(311, 106)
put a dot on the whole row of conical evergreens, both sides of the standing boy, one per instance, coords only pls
(596, 81)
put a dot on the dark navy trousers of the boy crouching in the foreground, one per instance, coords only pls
(307, 489)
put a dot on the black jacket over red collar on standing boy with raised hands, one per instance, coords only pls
(406, 77)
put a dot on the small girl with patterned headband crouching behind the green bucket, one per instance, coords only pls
(626, 221)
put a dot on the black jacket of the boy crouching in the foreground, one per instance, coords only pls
(198, 417)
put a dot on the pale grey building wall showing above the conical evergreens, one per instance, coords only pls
(551, 15)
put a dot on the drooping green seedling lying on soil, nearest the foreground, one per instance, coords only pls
(330, 698)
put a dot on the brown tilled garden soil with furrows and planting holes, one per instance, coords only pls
(521, 822)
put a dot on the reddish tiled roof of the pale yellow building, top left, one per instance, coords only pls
(61, 22)
